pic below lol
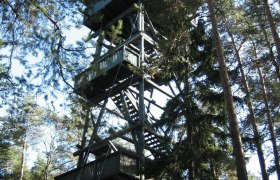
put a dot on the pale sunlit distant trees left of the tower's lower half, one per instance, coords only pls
(32, 123)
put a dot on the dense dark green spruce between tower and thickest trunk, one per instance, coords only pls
(197, 114)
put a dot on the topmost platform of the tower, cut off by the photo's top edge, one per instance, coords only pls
(100, 15)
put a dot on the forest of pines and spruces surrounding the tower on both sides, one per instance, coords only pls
(222, 57)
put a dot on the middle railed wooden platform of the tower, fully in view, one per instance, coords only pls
(110, 73)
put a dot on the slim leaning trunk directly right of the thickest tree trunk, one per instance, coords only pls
(253, 121)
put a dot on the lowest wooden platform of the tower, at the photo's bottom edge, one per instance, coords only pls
(120, 165)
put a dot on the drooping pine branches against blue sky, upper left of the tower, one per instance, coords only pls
(36, 31)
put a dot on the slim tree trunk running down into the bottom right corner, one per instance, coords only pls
(268, 114)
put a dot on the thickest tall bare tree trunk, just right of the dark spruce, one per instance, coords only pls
(233, 124)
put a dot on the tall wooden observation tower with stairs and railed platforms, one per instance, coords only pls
(126, 45)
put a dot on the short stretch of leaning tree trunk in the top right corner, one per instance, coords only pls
(272, 28)
